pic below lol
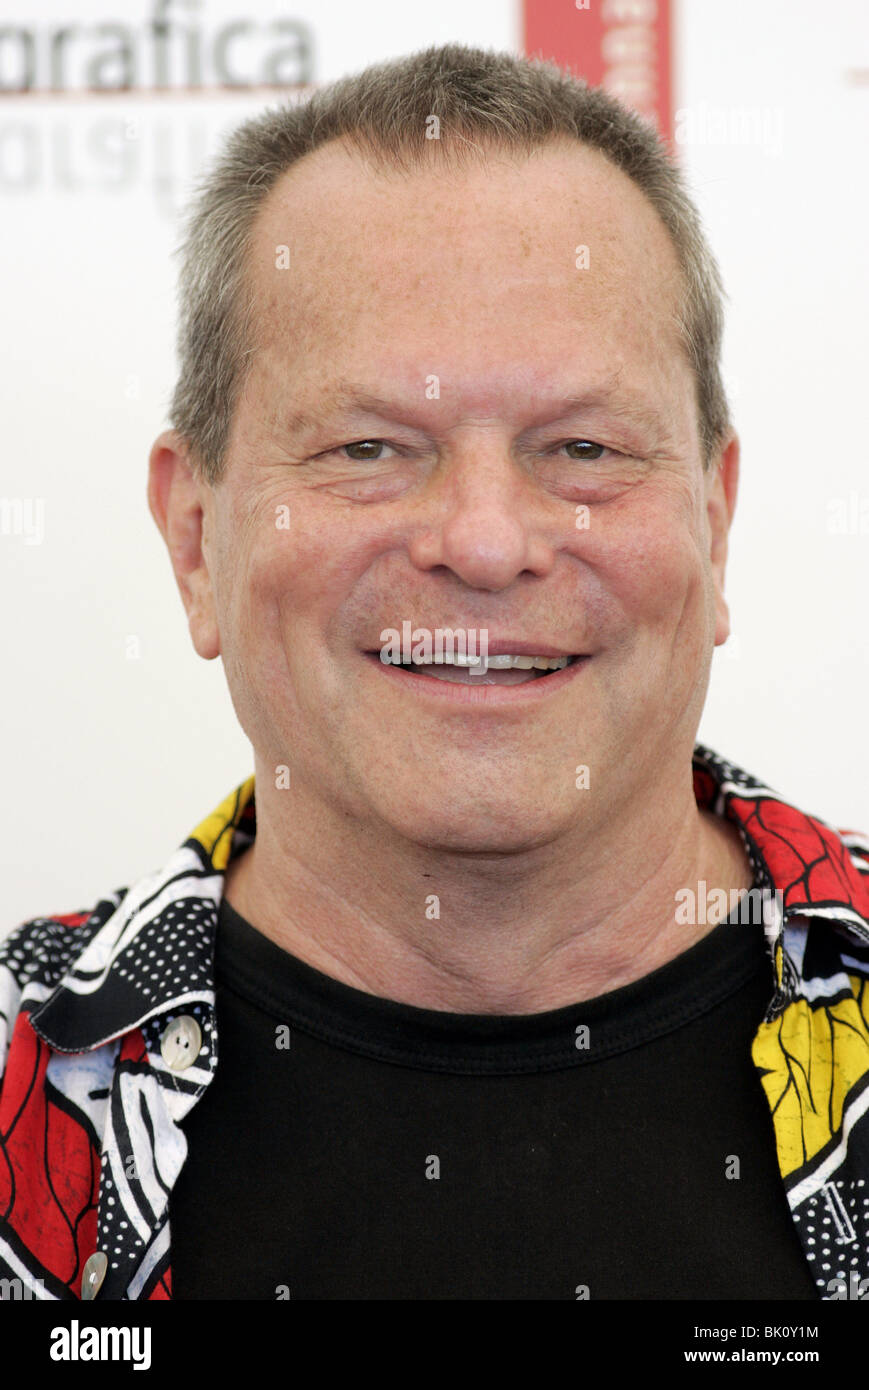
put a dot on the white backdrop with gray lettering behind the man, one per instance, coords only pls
(117, 739)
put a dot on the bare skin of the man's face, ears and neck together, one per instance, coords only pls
(460, 511)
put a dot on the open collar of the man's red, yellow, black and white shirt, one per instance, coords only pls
(154, 956)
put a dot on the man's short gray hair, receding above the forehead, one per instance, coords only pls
(485, 102)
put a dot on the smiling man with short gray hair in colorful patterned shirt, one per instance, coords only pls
(429, 1008)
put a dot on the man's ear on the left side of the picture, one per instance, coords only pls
(181, 504)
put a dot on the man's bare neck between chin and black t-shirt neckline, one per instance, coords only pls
(522, 935)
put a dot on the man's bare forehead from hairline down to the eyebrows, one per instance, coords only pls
(348, 255)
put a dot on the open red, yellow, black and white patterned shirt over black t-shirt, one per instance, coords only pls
(108, 1039)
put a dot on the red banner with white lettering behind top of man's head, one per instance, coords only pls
(619, 45)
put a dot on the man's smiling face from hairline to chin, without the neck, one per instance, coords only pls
(457, 300)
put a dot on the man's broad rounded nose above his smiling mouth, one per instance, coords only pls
(483, 521)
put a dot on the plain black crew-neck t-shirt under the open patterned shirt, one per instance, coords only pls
(354, 1147)
